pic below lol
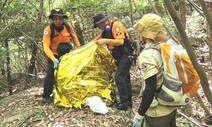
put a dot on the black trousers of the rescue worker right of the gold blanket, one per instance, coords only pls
(122, 79)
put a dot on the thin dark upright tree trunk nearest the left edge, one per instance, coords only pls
(9, 78)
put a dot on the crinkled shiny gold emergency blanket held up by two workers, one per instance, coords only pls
(84, 72)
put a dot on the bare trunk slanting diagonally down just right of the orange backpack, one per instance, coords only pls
(185, 40)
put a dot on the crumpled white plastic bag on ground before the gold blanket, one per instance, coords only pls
(96, 105)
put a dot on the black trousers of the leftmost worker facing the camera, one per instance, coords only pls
(49, 79)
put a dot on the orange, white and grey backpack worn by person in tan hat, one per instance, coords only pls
(180, 79)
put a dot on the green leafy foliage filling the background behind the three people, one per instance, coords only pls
(20, 23)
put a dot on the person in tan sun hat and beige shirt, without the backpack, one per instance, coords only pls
(150, 112)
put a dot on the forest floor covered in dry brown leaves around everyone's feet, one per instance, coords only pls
(23, 109)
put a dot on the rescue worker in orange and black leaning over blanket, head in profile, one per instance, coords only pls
(113, 35)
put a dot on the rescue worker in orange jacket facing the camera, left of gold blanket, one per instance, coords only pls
(50, 45)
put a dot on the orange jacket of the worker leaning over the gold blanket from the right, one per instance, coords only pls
(118, 32)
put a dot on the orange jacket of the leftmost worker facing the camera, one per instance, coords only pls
(50, 46)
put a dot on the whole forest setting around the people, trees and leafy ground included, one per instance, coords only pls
(23, 62)
